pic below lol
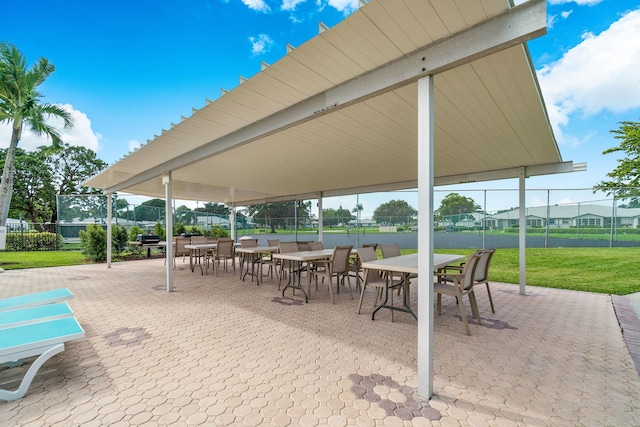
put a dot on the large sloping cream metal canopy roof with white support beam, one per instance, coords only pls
(339, 114)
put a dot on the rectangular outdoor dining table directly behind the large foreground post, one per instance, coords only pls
(405, 264)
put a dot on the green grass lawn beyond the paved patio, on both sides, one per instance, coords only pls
(601, 270)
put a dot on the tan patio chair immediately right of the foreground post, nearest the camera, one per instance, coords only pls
(458, 285)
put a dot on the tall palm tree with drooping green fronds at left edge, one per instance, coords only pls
(20, 106)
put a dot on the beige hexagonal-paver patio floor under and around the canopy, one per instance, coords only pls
(220, 351)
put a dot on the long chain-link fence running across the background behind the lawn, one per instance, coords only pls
(576, 217)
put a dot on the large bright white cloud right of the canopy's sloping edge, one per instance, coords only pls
(600, 73)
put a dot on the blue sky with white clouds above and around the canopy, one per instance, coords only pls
(128, 69)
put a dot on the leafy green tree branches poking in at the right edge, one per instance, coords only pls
(627, 173)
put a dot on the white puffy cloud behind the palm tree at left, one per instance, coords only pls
(80, 135)
